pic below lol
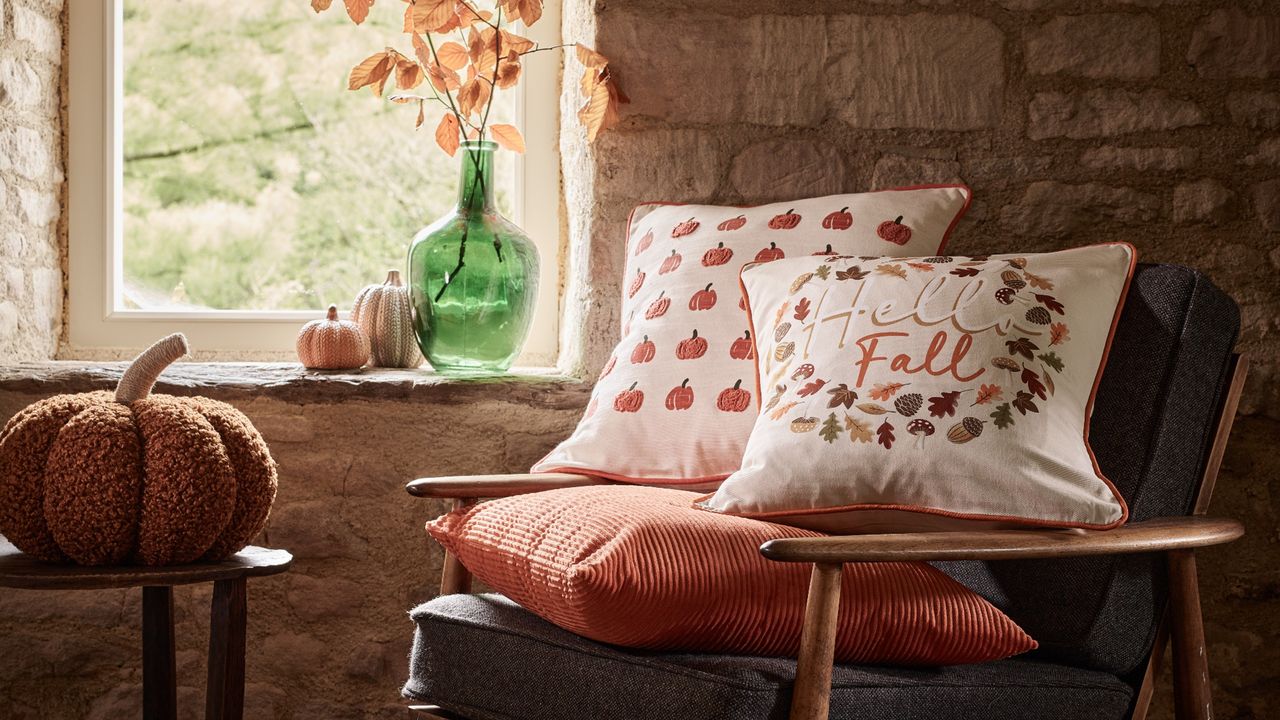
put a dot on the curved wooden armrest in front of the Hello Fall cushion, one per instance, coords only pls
(1150, 536)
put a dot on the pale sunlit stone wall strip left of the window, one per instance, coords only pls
(31, 179)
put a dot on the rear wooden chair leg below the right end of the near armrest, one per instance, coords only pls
(1192, 692)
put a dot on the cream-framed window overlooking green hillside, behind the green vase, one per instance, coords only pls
(226, 184)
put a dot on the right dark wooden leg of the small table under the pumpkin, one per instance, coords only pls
(226, 691)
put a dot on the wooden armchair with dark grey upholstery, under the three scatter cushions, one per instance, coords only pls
(1031, 575)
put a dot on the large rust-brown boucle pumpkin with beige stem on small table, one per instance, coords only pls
(99, 479)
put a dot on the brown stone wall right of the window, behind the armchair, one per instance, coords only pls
(1155, 122)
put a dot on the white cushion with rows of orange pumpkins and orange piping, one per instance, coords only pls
(675, 403)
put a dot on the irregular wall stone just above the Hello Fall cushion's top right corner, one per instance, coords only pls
(1055, 209)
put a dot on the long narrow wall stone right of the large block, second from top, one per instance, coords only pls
(1101, 113)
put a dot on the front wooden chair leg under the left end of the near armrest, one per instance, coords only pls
(811, 696)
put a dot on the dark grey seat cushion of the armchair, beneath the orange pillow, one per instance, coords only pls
(488, 659)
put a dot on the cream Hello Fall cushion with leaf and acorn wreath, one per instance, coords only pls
(926, 393)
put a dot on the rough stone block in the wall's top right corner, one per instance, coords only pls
(1232, 43)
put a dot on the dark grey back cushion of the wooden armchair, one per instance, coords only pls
(1154, 422)
